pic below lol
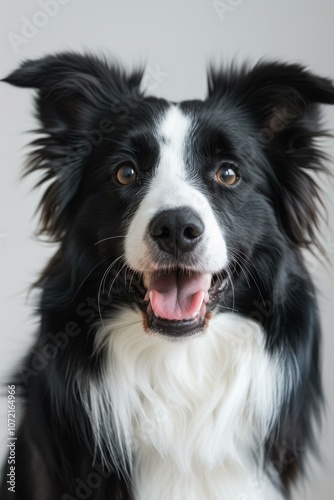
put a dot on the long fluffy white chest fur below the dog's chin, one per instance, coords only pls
(191, 414)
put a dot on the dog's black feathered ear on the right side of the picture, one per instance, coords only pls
(282, 101)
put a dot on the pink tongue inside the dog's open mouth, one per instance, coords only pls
(176, 297)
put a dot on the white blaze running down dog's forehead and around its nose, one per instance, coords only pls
(172, 186)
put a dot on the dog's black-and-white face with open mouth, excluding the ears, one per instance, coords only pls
(186, 198)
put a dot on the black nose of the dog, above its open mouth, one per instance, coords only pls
(176, 231)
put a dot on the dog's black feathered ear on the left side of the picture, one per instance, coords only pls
(72, 91)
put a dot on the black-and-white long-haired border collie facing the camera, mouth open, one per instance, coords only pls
(177, 355)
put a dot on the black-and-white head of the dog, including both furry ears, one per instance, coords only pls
(175, 198)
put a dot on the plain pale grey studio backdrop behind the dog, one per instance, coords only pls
(176, 40)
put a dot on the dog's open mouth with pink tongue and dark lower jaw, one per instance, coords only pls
(179, 302)
